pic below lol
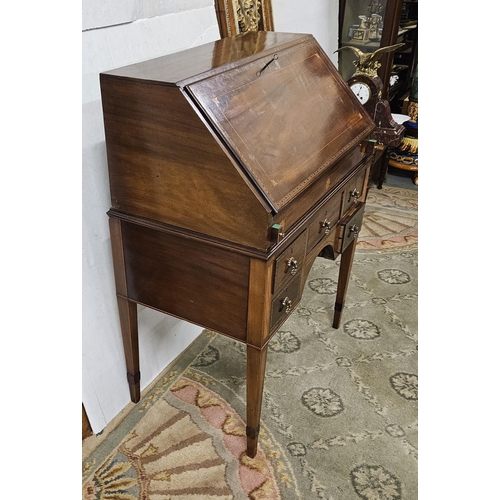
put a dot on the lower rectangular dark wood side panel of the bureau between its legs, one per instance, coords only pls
(194, 281)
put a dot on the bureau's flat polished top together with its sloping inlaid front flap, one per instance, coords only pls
(274, 99)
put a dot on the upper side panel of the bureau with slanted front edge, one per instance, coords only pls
(164, 164)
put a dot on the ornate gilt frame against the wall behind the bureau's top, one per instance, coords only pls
(240, 16)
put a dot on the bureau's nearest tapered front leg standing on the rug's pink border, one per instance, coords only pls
(256, 367)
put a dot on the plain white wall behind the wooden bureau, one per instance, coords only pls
(117, 33)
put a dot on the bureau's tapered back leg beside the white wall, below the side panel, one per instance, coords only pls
(128, 321)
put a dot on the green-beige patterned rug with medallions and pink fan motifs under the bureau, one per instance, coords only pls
(339, 416)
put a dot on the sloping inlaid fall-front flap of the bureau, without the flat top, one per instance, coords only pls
(286, 116)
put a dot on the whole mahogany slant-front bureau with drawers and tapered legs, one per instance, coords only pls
(232, 166)
